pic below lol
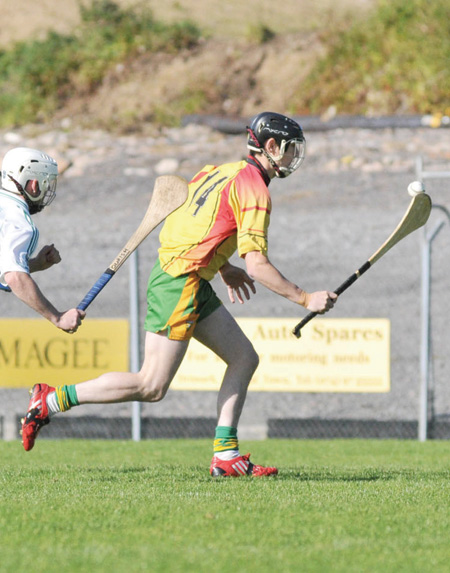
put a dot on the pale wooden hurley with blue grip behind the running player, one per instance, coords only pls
(169, 193)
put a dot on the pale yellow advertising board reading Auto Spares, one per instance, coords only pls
(333, 355)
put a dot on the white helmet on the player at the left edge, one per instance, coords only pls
(23, 164)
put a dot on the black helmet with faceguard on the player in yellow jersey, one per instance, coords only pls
(285, 131)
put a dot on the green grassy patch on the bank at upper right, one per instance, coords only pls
(394, 61)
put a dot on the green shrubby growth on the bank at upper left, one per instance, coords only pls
(37, 77)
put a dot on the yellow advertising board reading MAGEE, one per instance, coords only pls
(33, 350)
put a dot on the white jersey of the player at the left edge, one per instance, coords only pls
(18, 235)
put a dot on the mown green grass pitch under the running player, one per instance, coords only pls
(340, 506)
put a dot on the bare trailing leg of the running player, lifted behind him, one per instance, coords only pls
(150, 384)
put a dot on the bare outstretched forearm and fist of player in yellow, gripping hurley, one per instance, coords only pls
(261, 269)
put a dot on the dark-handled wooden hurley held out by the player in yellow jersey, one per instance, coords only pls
(415, 217)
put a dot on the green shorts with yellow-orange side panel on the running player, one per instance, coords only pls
(176, 304)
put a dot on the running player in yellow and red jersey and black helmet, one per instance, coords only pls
(228, 209)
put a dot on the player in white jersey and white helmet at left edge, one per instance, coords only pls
(29, 180)
